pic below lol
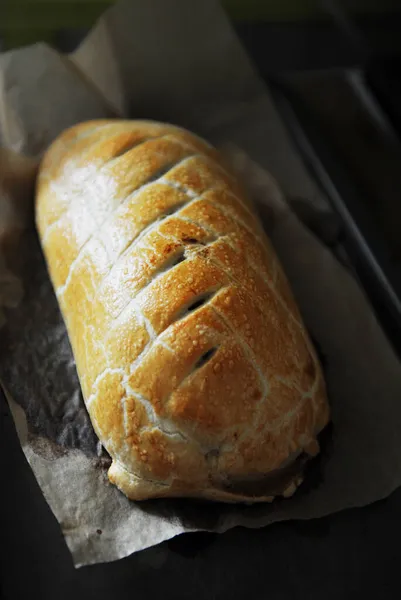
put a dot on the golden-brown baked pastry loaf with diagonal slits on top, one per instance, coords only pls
(197, 372)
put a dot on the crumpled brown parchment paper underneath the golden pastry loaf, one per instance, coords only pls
(180, 61)
